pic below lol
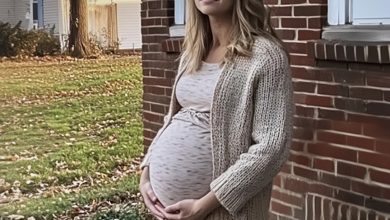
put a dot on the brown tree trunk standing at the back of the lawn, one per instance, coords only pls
(78, 37)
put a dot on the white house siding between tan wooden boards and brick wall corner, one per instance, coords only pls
(129, 24)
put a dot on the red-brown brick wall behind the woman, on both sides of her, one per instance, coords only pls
(339, 166)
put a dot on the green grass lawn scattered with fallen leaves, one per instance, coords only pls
(70, 136)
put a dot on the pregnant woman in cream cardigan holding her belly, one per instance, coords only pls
(228, 129)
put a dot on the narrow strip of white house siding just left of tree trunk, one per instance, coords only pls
(51, 9)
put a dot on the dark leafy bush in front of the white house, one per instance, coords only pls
(16, 41)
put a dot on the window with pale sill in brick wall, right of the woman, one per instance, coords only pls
(358, 20)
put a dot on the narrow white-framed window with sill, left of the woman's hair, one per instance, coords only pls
(177, 30)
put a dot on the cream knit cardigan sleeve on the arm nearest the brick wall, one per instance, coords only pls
(271, 135)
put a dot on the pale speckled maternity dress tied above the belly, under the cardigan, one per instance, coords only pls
(181, 166)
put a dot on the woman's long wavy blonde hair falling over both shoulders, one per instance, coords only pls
(250, 18)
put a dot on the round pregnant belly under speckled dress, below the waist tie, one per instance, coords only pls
(181, 163)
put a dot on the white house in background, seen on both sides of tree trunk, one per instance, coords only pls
(109, 20)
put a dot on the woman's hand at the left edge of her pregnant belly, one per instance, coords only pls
(150, 199)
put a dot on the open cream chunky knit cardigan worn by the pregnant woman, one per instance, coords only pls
(251, 127)
